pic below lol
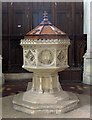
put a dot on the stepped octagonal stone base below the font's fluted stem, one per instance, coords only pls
(55, 103)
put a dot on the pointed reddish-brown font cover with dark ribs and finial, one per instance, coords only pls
(45, 30)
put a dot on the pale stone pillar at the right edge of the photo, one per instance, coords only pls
(87, 73)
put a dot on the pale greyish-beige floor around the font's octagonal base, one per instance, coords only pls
(82, 112)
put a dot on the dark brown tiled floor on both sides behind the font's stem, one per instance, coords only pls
(12, 87)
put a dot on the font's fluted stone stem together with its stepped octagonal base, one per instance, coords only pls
(45, 97)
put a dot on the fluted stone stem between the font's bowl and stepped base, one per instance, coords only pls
(44, 83)
